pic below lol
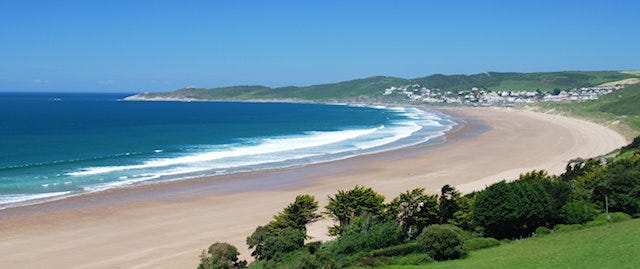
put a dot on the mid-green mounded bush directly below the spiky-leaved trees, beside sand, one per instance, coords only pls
(367, 233)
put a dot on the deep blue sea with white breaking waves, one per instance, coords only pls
(56, 145)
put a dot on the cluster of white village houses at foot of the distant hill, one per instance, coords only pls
(480, 96)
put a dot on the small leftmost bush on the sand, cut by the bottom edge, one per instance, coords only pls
(221, 256)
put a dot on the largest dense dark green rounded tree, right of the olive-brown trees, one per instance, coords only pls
(511, 209)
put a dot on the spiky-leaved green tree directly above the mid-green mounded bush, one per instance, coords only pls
(346, 205)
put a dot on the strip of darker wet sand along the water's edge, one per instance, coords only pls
(461, 130)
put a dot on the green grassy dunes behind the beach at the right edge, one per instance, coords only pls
(619, 110)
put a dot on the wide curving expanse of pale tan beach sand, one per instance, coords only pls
(167, 225)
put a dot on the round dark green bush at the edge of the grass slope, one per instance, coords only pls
(442, 242)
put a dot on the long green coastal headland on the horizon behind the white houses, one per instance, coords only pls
(373, 88)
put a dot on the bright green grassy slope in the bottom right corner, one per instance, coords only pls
(617, 246)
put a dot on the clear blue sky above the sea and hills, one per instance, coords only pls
(148, 46)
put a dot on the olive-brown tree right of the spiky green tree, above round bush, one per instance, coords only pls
(413, 210)
